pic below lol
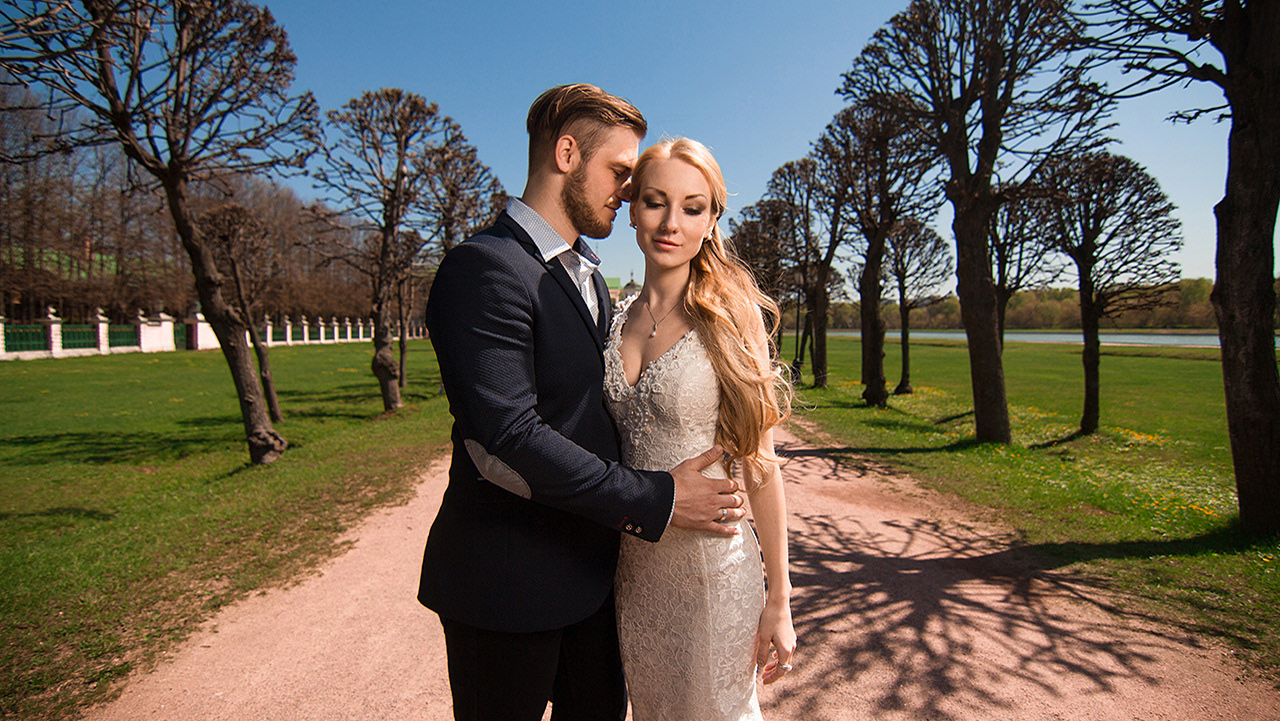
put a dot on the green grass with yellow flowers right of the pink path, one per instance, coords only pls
(1146, 506)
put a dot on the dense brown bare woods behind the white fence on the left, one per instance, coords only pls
(77, 234)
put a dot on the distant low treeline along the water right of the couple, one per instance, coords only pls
(1187, 307)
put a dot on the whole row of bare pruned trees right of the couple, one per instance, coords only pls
(991, 108)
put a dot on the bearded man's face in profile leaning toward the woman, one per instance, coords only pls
(596, 190)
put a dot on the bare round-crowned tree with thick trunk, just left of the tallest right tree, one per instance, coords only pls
(880, 172)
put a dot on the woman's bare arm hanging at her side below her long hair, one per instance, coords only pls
(770, 510)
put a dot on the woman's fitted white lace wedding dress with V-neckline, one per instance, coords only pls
(689, 606)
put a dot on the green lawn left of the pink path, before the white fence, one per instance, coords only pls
(129, 512)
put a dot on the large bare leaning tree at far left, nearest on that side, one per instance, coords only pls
(190, 90)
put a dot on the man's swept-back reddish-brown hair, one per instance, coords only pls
(582, 111)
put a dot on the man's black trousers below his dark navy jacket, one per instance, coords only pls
(504, 677)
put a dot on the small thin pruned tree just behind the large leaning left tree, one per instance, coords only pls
(244, 252)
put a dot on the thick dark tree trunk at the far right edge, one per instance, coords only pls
(1245, 295)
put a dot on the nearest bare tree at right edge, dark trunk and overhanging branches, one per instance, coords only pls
(1236, 45)
